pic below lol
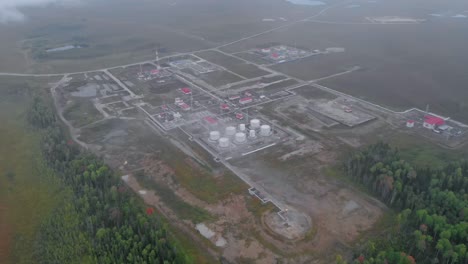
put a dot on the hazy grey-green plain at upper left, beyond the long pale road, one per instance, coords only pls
(119, 31)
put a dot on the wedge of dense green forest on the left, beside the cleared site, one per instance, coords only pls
(102, 221)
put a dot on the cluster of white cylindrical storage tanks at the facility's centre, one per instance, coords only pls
(240, 133)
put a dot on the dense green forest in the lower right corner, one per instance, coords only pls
(432, 204)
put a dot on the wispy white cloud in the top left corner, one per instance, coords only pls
(9, 9)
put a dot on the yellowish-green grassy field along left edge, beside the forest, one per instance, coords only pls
(28, 189)
